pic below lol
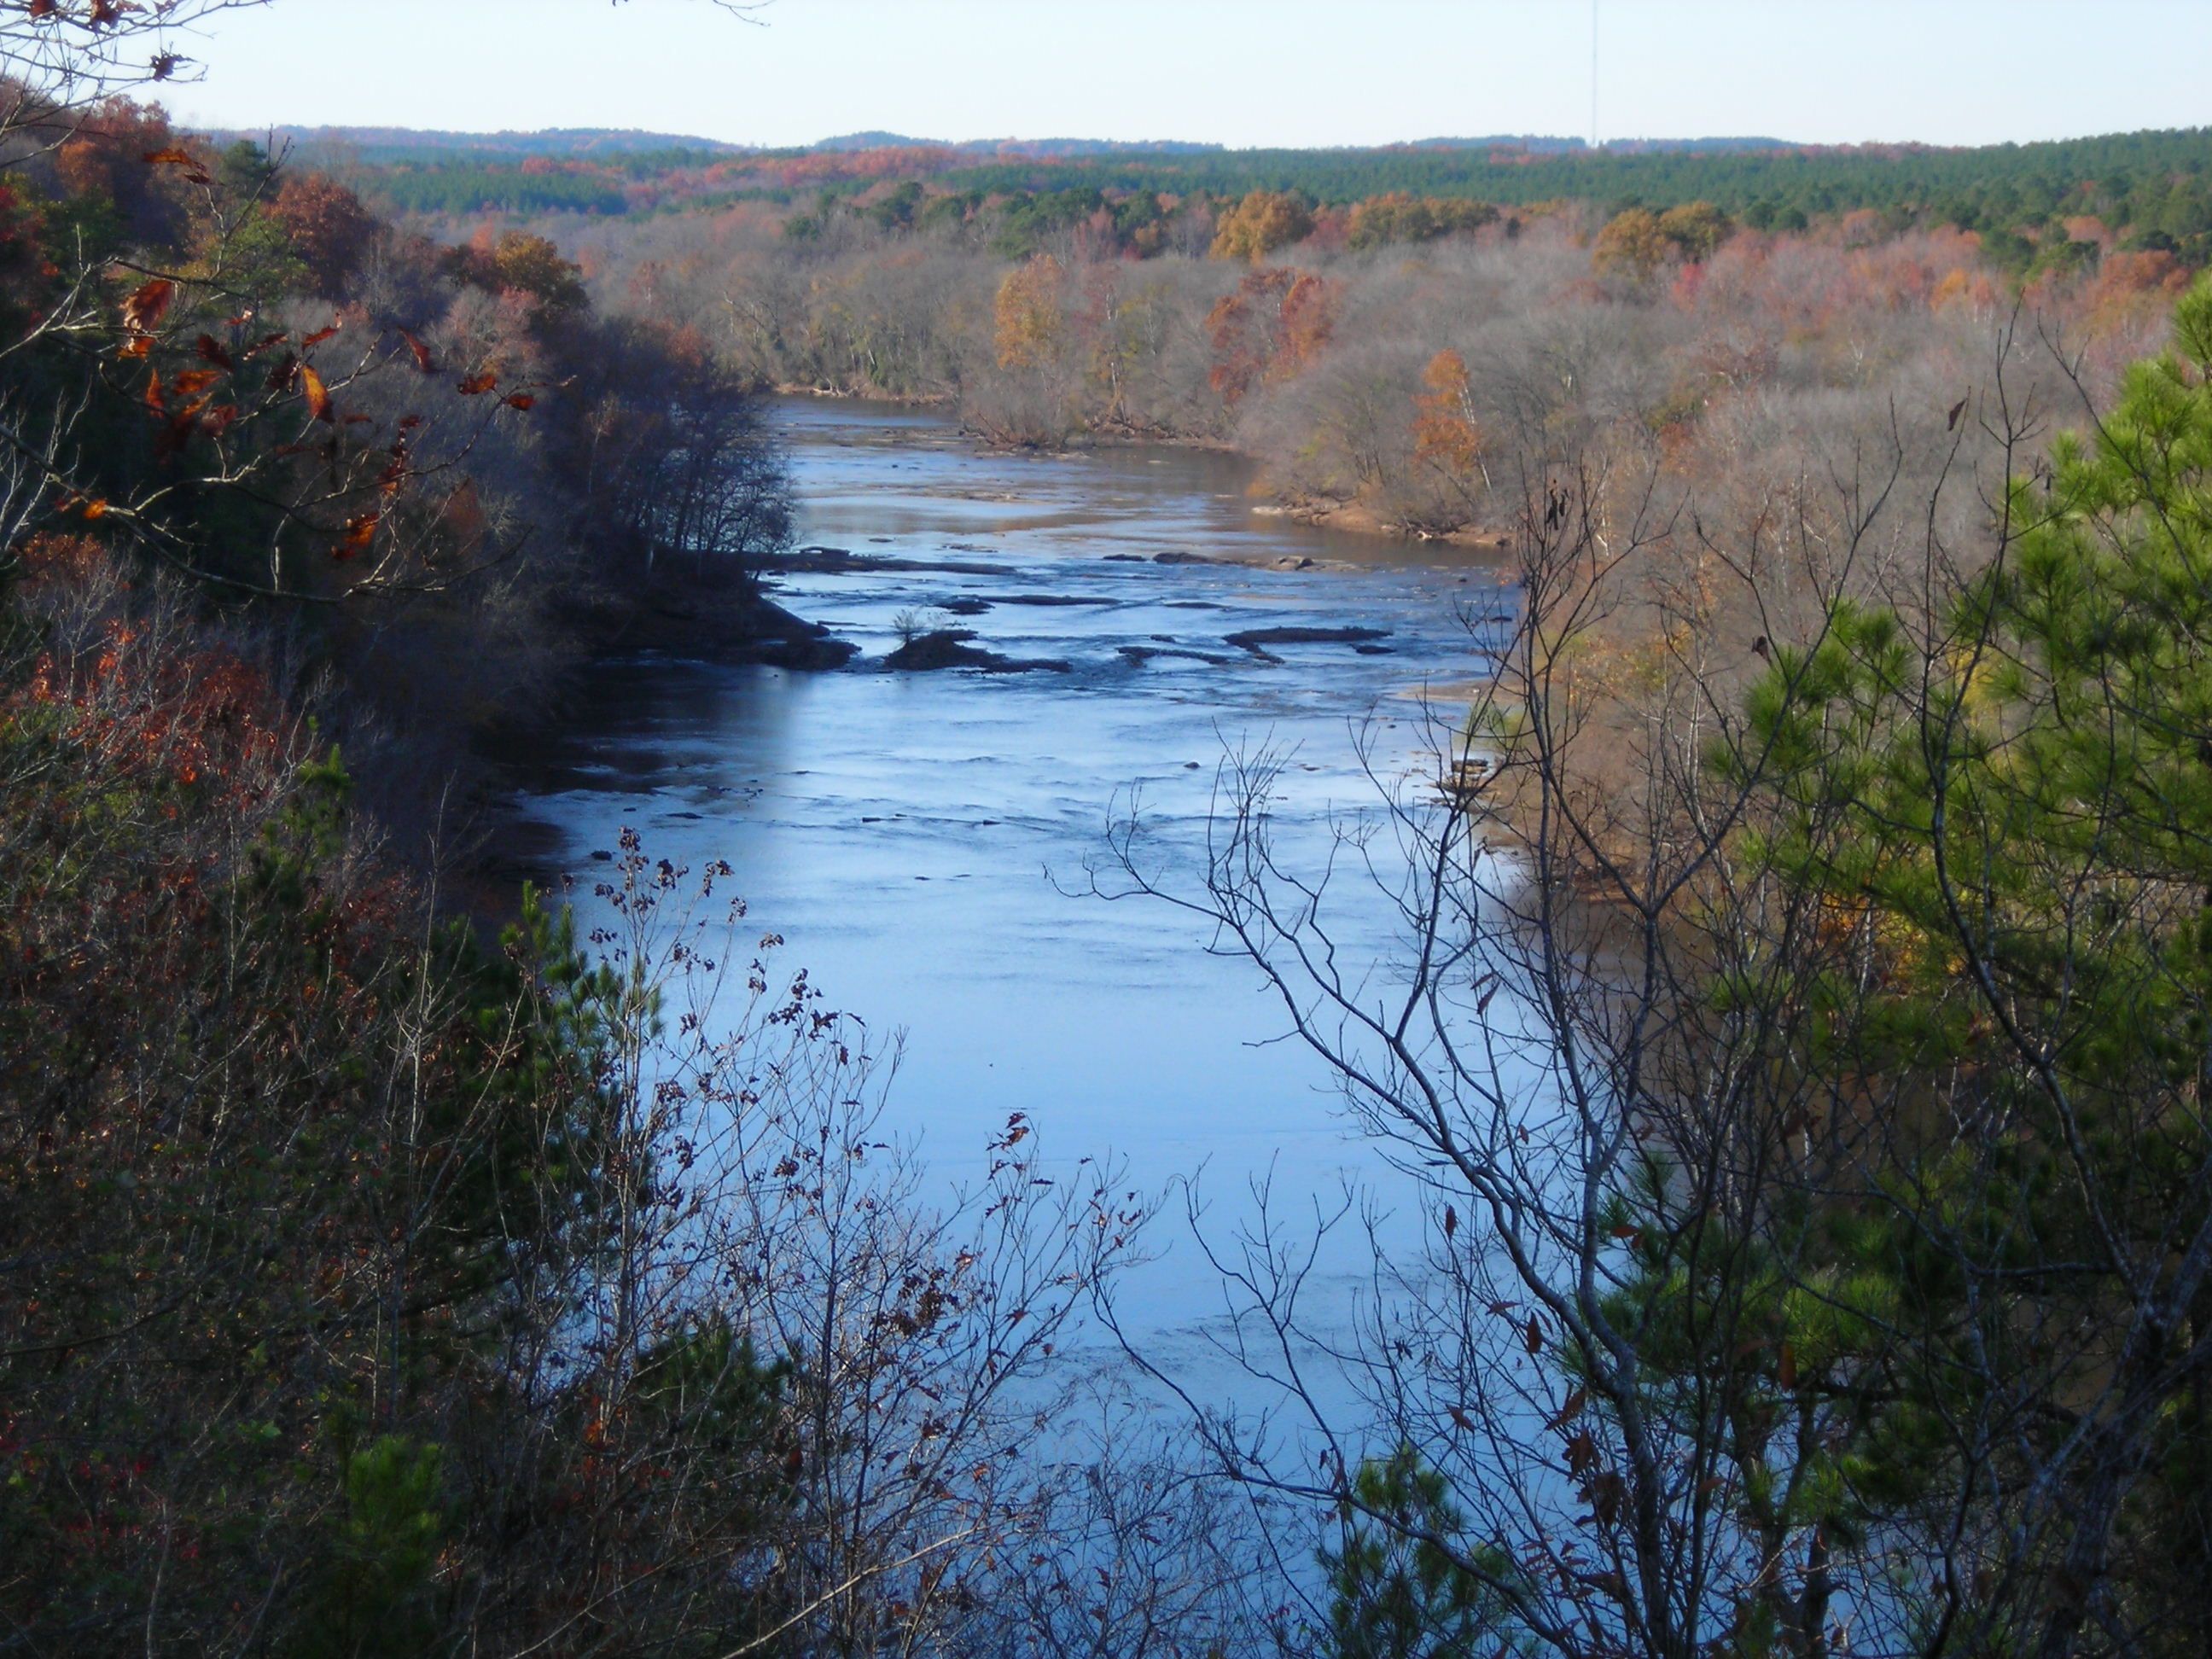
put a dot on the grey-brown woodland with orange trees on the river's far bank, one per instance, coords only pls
(1377, 362)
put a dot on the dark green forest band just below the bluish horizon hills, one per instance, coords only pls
(2147, 189)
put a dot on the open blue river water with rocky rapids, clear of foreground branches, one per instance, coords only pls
(924, 839)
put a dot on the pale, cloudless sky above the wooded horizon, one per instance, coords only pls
(1233, 72)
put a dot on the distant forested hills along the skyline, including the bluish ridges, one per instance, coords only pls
(2149, 191)
